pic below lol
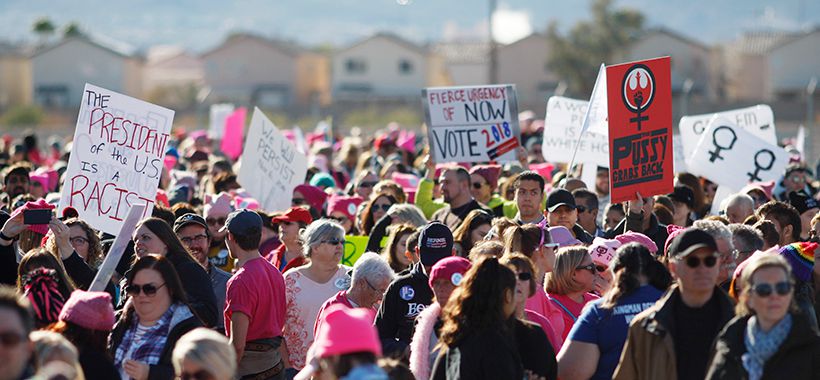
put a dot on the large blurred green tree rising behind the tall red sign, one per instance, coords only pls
(577, 56)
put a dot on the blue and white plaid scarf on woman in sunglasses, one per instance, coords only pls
(152, 343)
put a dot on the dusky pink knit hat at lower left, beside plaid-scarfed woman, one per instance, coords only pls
(91, 310)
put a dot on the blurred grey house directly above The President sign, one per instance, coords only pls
(60, 71)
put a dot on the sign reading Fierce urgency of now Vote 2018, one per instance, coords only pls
(472, 124)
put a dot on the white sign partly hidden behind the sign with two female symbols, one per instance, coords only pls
(757, 120)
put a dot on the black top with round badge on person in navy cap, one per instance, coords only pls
(404, 299)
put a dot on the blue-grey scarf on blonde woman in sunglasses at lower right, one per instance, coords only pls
(760, 345)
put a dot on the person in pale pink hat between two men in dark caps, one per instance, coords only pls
(216, 211)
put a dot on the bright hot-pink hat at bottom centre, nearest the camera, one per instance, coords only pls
(345, 331)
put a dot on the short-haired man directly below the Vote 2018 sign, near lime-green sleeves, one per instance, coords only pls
(455, 187)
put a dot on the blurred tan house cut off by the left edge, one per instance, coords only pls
(15, 76)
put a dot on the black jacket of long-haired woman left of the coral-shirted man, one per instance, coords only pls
(197, 284)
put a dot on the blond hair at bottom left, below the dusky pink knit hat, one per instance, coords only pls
(52, 347)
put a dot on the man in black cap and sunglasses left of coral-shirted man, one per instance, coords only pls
(193, 231)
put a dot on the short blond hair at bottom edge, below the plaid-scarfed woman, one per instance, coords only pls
(208, 349)
